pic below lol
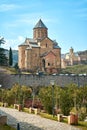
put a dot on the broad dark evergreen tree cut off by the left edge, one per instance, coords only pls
(3, 58)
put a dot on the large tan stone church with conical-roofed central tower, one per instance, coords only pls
(40, 53)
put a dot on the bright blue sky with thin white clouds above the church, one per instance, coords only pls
(66, 21)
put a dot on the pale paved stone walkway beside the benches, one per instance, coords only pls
(31, 121)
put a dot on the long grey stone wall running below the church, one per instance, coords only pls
(44, 80)
